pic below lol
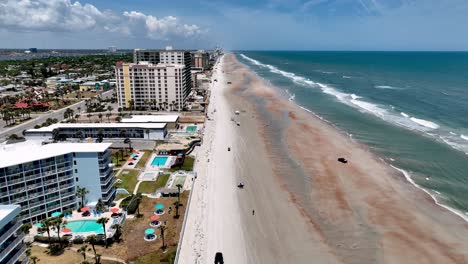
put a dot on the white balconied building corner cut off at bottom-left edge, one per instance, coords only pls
(12, 248)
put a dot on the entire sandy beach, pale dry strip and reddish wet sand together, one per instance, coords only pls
(309, 208)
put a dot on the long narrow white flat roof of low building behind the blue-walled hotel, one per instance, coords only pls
(98, 125)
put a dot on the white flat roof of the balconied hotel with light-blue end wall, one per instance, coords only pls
(31, 150)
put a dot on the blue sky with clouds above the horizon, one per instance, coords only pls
(236, 24)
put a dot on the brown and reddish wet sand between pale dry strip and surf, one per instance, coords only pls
(311, 208)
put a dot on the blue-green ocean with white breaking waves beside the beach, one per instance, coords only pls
(409, 108)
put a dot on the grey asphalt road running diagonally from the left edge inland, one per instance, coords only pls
(39, 119)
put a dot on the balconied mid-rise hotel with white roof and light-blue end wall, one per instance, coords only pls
(43, 179)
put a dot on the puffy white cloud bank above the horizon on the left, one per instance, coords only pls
(64, 15)
